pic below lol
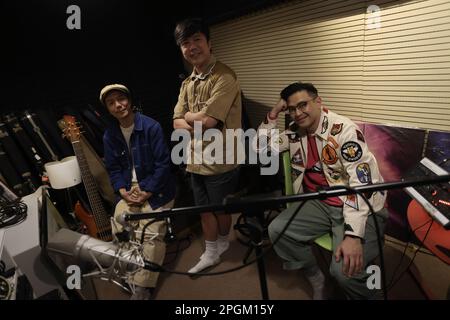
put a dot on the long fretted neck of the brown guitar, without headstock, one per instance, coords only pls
(98, 210)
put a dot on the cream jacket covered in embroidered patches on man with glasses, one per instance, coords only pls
(345, 158)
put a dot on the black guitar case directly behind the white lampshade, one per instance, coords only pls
(48, 122)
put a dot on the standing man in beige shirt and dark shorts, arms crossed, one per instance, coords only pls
(210, 98)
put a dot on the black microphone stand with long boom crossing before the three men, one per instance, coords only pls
(232, 205)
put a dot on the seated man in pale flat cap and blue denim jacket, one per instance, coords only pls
(138, 164)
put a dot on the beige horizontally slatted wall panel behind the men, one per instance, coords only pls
(397, 74)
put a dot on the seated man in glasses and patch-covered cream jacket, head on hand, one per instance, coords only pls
(327, 149)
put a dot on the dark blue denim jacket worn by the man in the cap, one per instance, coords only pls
(151, 160)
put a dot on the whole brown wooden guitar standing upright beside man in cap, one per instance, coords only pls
(98, 223)
